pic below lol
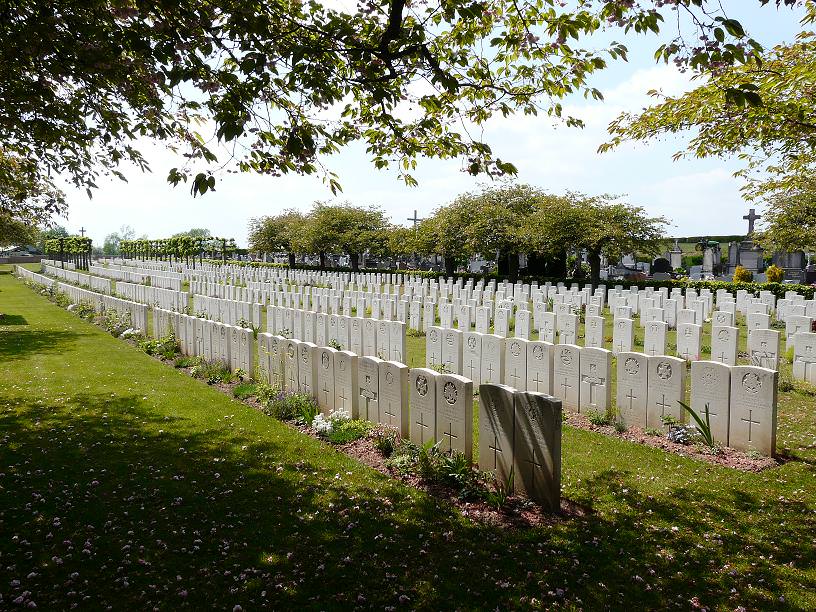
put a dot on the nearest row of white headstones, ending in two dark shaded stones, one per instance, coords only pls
(521, 431)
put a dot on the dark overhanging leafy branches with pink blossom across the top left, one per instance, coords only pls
(283, 84)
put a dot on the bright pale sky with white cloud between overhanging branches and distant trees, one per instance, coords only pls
(699, 197)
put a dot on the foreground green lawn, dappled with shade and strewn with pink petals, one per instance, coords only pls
(125, 483)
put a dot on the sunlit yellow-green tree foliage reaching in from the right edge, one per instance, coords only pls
(763, 112)
